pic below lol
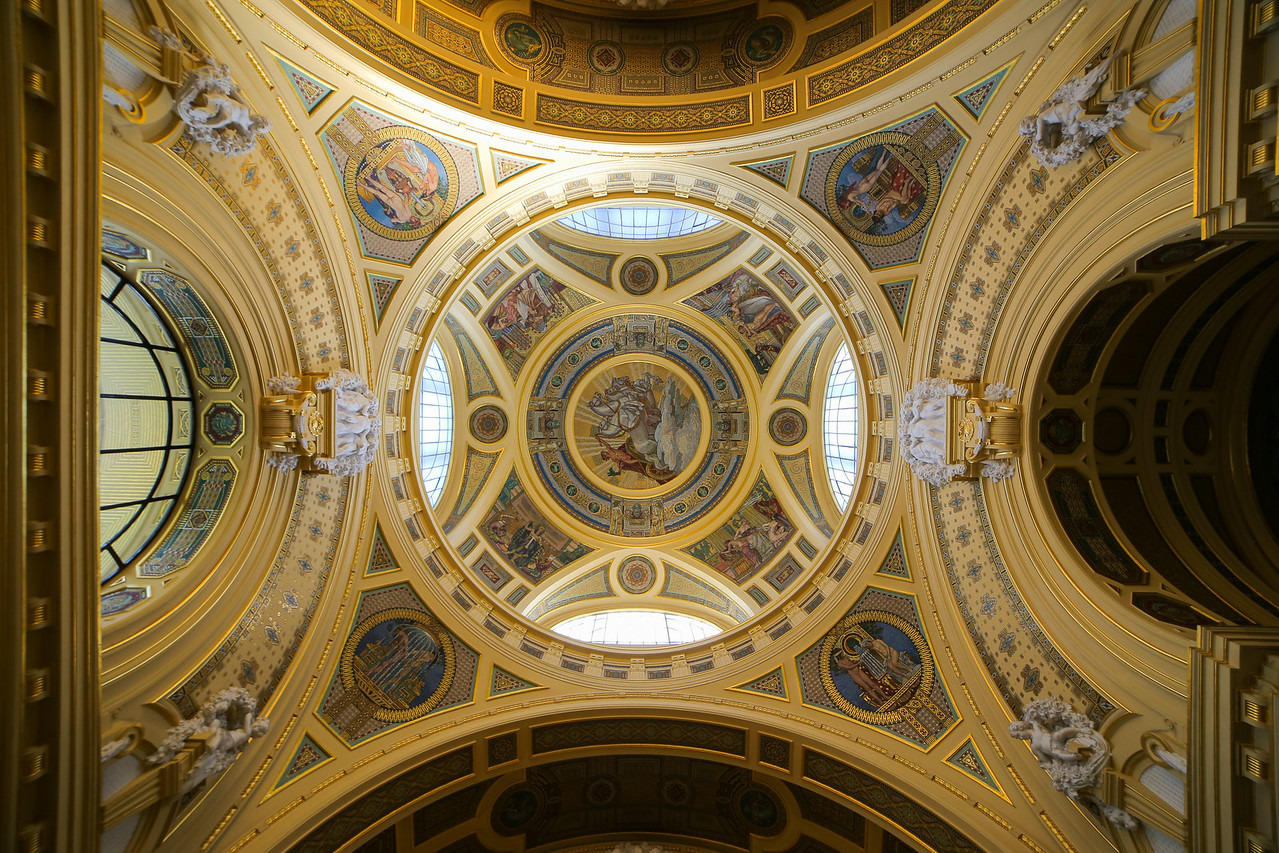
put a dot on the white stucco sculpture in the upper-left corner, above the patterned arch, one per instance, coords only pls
(216, 112)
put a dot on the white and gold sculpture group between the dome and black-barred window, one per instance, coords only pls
(331, 421)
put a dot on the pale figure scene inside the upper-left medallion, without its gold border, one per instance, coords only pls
(401, 185)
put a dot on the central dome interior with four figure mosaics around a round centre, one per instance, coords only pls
(643, 425)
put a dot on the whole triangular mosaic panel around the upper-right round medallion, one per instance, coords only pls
(882, 190)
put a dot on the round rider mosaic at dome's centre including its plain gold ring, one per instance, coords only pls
(638, 425)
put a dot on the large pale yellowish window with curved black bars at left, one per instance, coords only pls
(146, 414)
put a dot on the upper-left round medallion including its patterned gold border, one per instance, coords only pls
(402, 185)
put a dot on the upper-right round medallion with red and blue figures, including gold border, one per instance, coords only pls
(881, 191)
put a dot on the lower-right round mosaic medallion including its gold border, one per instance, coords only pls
(875, 666)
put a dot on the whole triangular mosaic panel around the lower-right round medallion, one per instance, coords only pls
(877, 667)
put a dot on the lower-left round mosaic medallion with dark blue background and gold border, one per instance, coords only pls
(402, 662)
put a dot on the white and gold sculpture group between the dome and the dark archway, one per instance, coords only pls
(947, 430)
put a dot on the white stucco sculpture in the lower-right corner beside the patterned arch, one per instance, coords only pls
(1069, 746)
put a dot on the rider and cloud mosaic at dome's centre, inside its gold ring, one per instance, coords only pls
(636, 433)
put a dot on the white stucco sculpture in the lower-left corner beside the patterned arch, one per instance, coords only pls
(227, 723)
